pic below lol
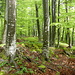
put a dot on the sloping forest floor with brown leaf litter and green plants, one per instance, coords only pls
(30, 61)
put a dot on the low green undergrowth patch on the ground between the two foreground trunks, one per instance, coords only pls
(32, 43)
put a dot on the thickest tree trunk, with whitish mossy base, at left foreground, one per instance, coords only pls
(11, 30)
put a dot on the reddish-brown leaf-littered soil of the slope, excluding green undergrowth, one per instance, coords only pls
(58, 64)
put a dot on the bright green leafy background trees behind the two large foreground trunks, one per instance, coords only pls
(30, 21)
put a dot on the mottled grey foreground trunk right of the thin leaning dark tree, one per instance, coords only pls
(46, 29)
